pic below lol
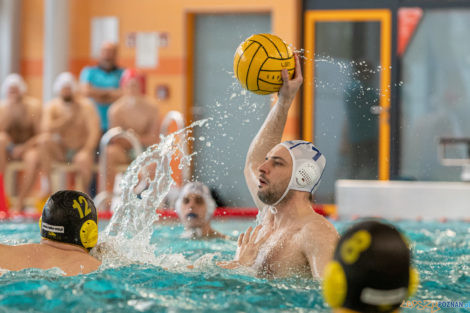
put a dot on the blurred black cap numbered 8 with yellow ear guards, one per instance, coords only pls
(371, 270)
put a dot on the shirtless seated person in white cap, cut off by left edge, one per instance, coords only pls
(20, 118)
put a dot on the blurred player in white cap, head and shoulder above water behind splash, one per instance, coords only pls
(195, 207)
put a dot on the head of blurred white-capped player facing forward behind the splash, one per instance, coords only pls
(195, 205)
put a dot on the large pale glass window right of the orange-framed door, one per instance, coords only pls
(435, 93)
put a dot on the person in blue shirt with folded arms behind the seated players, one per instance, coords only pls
(101, 82)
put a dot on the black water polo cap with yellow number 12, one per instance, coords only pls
(70, 217)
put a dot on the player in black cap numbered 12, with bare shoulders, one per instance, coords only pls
(68, 230)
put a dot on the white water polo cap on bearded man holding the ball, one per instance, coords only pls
(308, 164)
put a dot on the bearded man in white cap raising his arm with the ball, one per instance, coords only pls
(291, 239)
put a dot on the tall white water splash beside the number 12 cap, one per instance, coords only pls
(126, 239)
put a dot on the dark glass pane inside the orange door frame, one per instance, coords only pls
(346, 106)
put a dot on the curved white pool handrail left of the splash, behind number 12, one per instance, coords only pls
(116, 132)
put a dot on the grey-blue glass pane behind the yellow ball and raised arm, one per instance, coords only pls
(236, 114)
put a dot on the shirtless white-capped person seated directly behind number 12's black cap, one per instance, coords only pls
(71, 131)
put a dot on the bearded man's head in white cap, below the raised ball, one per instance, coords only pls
(291, 165)
